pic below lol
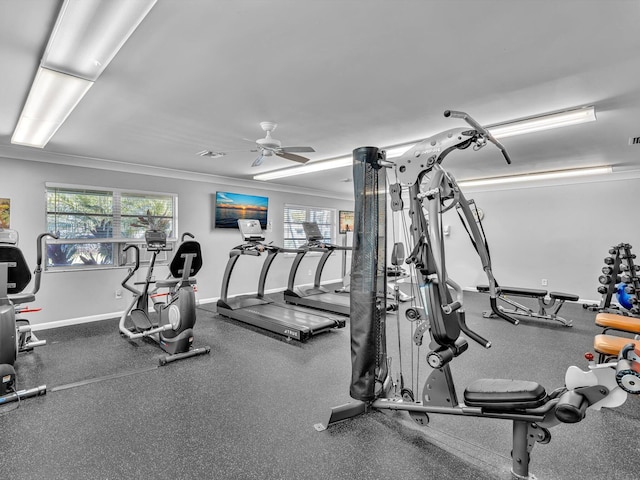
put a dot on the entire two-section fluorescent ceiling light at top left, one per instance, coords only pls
(86, 37)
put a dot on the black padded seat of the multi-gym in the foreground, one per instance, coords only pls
(500, 394)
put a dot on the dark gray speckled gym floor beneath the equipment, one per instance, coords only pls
(248, 409)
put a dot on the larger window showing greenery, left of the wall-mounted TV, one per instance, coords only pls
(93, 224)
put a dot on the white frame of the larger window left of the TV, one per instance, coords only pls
(120, 259)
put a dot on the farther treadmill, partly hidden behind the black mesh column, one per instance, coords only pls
(317, 297)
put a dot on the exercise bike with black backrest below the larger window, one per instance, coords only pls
(172, 327)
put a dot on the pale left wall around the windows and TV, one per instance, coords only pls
(91, 294)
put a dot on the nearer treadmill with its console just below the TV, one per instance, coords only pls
(292, 322)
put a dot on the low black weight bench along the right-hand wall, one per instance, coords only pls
(553, 303)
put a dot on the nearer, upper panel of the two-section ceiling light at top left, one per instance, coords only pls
(89, 33)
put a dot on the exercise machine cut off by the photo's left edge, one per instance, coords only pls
(15, 332)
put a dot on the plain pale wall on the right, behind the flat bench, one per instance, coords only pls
(561, 233)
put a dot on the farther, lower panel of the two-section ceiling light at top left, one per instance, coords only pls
(52, 97)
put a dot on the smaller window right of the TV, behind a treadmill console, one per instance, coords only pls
(294, 215)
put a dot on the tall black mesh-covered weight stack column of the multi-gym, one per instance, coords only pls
(368, 276)
